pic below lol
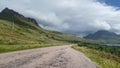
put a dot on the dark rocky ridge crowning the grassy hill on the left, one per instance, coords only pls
(11, 14)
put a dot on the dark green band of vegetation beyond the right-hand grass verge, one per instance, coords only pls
(108, 49)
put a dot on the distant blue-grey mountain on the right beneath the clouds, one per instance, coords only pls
(104, 36)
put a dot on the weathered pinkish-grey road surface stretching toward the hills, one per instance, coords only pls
(50, 57)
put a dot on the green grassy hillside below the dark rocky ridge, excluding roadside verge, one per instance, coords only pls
(23, 34)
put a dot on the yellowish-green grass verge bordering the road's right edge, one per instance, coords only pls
(105, 60)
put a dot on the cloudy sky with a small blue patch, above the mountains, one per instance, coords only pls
(79, 17)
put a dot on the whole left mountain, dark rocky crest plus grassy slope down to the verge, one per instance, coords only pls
(18, 29)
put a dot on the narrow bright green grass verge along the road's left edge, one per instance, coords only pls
(10, 48)
